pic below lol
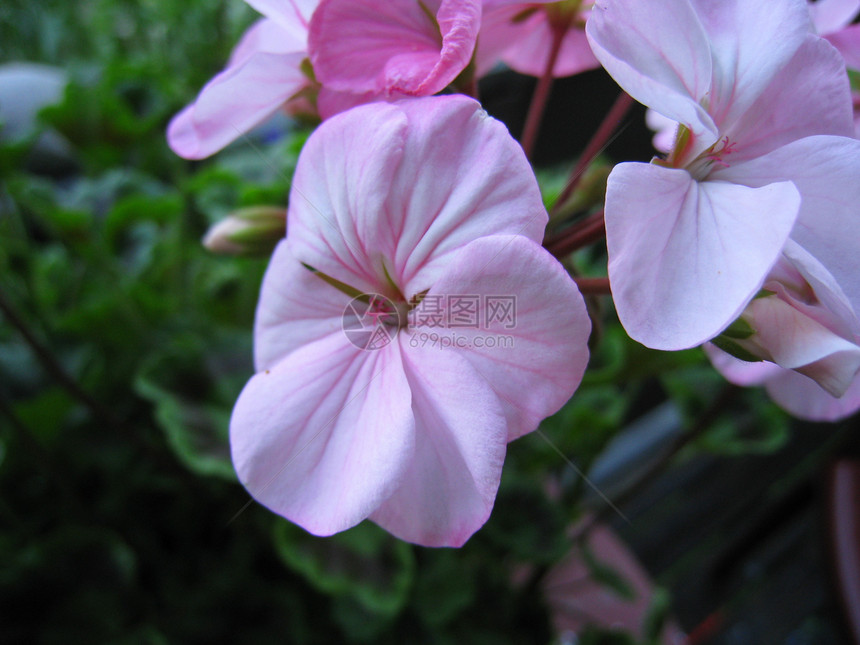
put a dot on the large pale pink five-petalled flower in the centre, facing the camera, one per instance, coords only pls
(362, 409)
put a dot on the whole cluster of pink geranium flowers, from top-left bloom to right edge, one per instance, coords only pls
(739, 236)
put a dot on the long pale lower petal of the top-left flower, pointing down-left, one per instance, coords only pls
(235, 101)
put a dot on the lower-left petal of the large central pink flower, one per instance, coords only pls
(324, 437)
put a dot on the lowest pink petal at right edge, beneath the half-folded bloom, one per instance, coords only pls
(802, 397)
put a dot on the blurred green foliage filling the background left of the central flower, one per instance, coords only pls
(122, 521)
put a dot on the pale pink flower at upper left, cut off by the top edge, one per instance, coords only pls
(263, 74)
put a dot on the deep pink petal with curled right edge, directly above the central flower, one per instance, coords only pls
(364, 46)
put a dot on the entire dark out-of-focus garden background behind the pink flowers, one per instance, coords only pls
(124, 344)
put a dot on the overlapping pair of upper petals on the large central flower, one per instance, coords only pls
(434, 174)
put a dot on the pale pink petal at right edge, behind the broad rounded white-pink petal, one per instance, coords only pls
(825, 170)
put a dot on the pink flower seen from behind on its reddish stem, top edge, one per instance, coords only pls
(520, 34)
